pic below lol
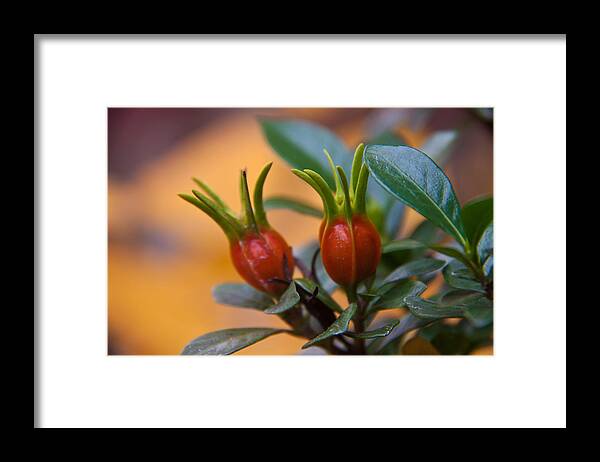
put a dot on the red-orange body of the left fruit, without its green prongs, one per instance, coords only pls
(260, 257)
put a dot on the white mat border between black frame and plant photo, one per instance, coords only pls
(524, 384)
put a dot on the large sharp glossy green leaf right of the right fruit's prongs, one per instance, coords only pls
(413, 178)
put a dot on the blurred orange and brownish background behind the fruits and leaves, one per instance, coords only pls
(164, 255)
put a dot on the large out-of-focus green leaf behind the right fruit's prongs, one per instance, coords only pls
(301, 144)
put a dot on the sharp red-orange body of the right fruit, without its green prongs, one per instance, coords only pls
(350, 257)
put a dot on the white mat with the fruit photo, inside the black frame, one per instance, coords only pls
(224, 222)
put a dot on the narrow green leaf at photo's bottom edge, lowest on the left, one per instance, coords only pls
(228, 341)
